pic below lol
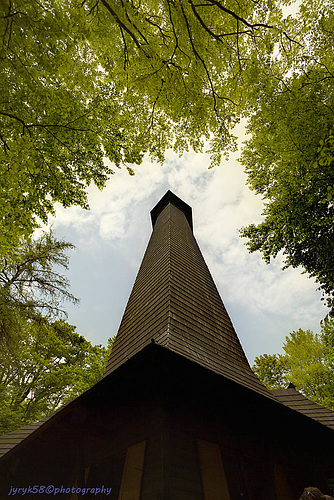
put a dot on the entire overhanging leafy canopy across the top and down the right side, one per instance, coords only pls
(96, 80)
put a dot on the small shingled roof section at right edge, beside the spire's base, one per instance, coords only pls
(295, 400)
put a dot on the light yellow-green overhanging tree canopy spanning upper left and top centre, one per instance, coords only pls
(93, 80)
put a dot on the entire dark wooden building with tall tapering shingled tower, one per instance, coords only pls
(179, 414)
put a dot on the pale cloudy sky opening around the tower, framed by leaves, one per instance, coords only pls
(264, 302)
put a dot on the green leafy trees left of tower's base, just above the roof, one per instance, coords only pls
(47, 365)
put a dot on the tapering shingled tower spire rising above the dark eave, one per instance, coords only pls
(175, 303)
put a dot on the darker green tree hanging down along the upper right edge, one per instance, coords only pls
(289, 158)
